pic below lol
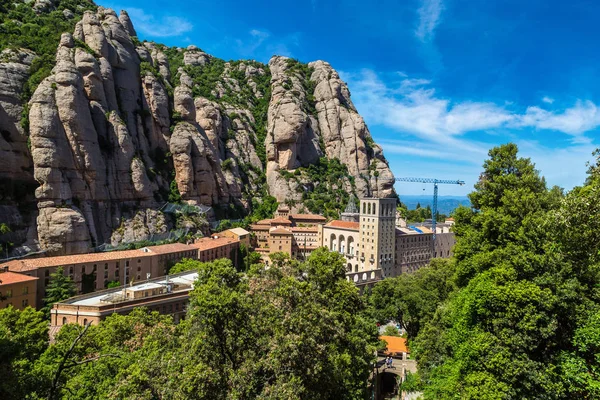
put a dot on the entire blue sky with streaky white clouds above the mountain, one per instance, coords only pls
(439, 82)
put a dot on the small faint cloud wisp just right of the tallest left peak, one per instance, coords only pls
(164, 26)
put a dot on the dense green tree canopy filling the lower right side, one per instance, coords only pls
(515, 314)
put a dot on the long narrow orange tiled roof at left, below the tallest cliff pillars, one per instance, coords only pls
(29, 264)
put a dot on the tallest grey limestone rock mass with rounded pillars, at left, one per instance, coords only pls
(94, 125)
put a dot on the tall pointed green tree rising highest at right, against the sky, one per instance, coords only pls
(496, 335)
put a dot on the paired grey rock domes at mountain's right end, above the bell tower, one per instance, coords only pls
(297, 136)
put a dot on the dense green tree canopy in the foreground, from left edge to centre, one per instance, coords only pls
(293, 331)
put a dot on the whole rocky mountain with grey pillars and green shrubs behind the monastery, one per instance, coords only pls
(99, 130)
